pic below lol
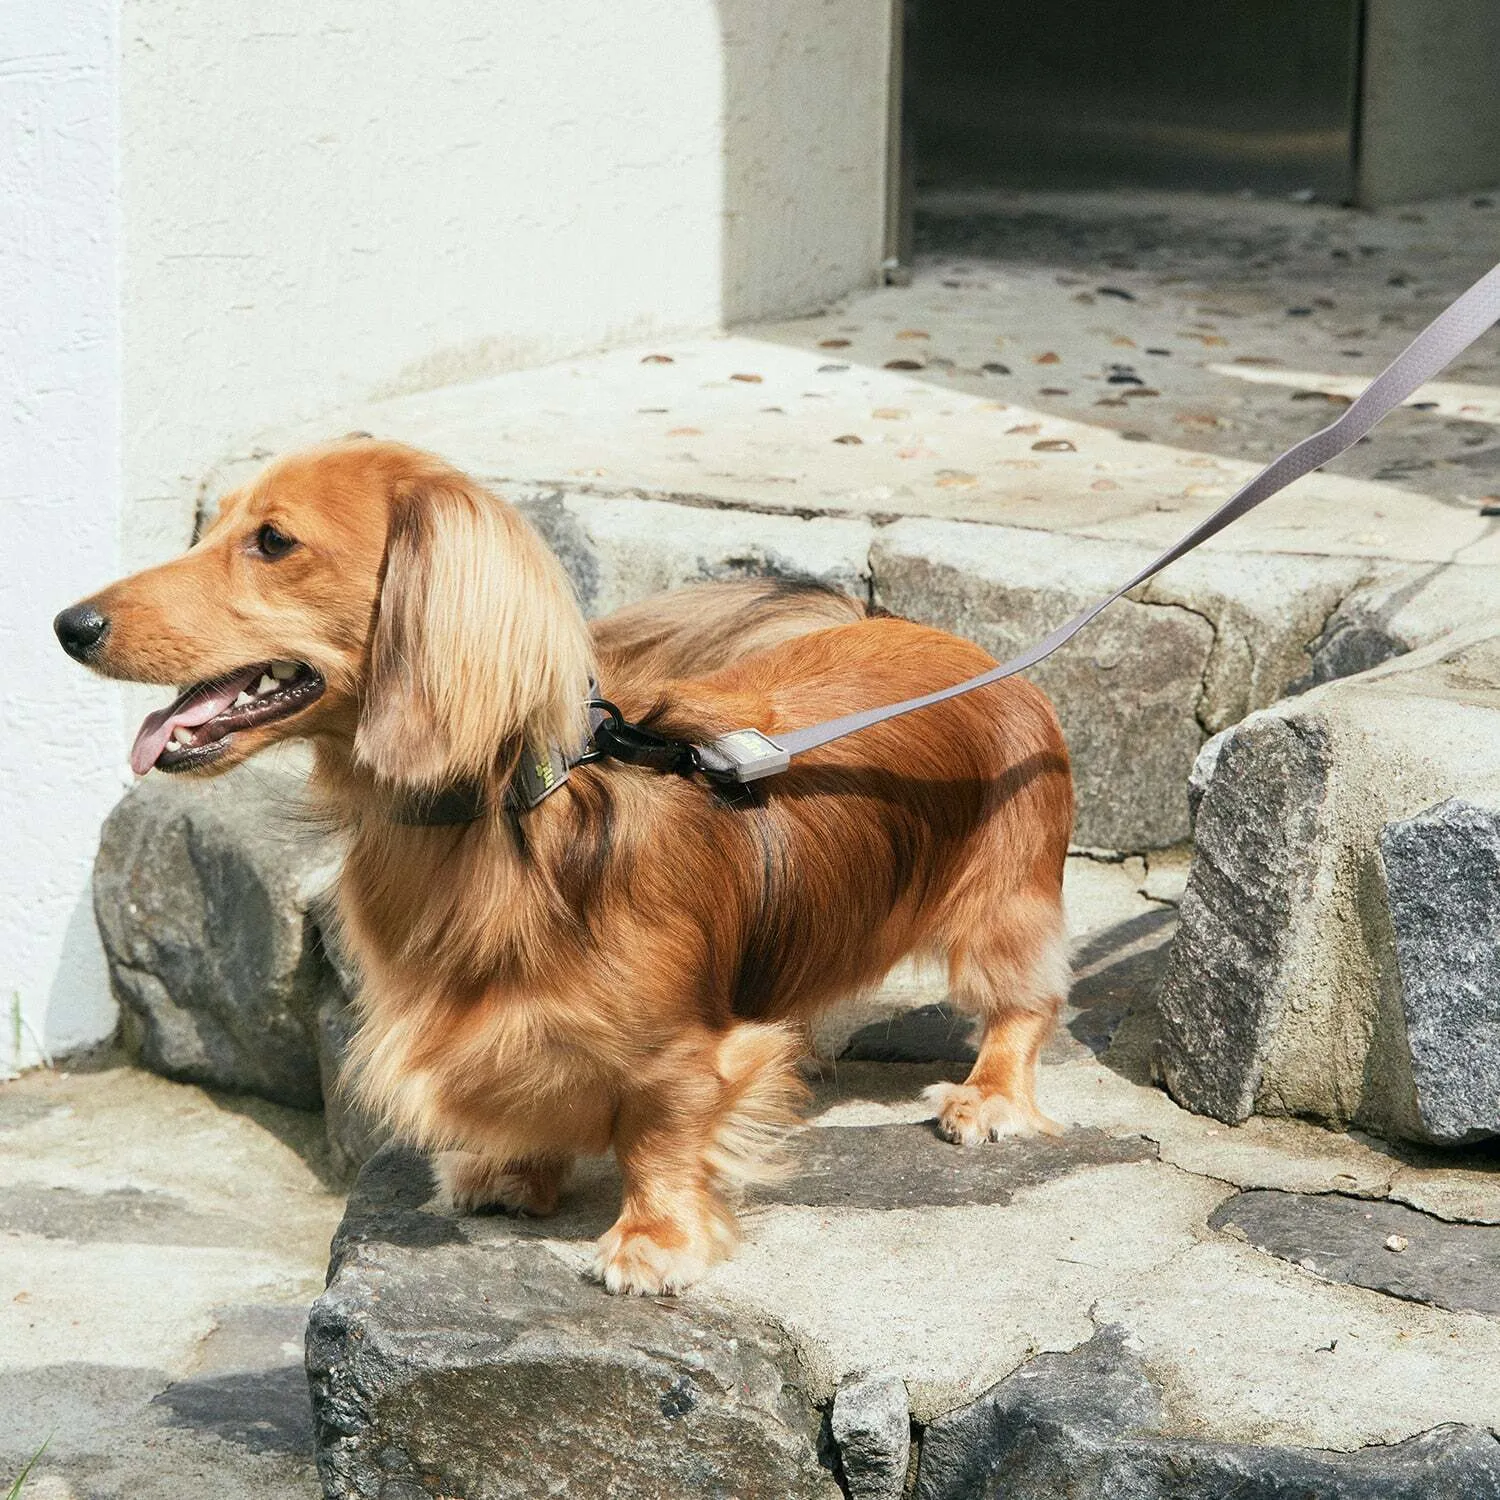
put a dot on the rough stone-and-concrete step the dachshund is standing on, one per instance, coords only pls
(904, 1313)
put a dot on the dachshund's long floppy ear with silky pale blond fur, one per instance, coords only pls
(479, 644)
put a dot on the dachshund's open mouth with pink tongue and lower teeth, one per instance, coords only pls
(197, 725)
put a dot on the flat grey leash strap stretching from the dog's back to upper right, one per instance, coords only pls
(749, 755)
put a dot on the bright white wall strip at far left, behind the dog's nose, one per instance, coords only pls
(59, 509)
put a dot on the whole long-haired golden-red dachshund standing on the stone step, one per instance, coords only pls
(632, 961)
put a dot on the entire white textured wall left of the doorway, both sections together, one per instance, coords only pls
(226, 220)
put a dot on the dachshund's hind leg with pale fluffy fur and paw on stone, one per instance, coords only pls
(1015, 974)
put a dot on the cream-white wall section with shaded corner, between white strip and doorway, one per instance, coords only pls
(325, 203)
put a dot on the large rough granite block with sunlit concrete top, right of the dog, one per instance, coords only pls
(1337, 950)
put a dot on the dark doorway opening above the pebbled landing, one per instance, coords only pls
(1213, 95)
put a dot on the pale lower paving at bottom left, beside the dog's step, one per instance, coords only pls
(158, 1250)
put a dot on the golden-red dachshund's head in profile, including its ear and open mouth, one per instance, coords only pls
(365, 595)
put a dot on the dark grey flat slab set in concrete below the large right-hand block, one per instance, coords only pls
(1454, 1267)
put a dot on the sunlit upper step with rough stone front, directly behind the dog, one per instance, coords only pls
(713, 458)
